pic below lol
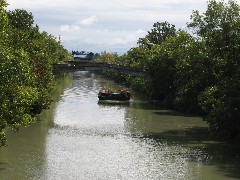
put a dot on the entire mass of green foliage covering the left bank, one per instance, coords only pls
(26, 58)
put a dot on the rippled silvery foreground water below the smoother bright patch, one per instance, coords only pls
(111, 153)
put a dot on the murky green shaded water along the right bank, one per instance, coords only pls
(190, 135)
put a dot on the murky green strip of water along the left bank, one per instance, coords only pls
(24, 158)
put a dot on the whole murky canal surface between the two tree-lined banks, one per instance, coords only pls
(78, 138)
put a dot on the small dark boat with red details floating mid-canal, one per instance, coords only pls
(120, 95)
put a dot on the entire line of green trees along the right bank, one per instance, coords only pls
(195, 70)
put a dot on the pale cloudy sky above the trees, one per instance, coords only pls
(105, 25)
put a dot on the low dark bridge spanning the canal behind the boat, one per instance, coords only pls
(98, 66)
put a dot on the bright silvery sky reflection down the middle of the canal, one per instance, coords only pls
(91, 141)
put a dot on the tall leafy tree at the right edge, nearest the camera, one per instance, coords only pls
(219, 28)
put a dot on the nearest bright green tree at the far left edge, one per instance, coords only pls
(16, 81)
